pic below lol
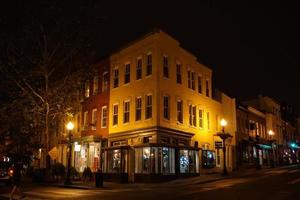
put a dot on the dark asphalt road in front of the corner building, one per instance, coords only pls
(275, 184)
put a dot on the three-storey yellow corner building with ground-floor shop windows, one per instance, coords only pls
(162, 117)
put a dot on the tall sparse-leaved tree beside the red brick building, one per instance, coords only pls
(46, 54)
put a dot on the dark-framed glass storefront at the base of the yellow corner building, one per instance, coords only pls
(151, 162)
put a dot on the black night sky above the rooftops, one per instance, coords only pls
(252, 48)
